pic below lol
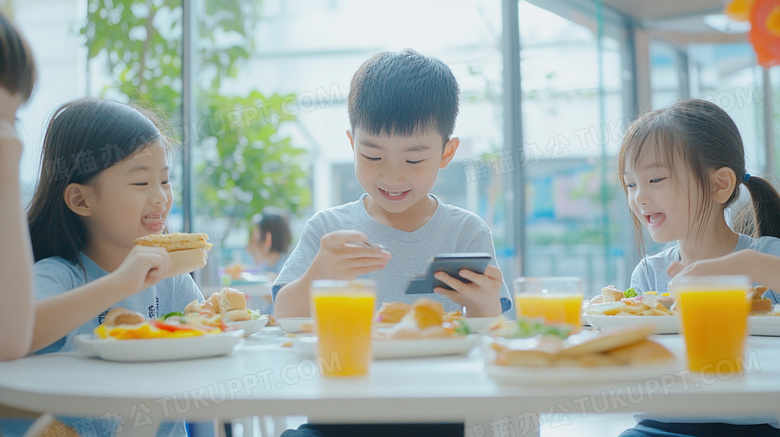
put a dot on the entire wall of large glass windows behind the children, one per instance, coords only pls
(268, 87)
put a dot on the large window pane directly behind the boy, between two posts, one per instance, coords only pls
(307, 52)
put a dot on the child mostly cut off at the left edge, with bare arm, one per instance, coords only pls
(17, 77)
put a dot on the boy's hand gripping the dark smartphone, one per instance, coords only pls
(481, 296)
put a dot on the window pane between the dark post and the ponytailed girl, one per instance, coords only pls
(574, 113)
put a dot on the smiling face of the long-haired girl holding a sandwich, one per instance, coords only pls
(130, 199)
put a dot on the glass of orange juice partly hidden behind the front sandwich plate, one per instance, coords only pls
(557, 299)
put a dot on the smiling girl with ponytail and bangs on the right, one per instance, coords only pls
(681, 167)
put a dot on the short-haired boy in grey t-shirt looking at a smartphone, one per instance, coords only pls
(402, 109)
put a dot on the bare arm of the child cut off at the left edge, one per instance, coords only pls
(16, 312)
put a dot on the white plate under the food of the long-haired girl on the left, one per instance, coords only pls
(159, 349)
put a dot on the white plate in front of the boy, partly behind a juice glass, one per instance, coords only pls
(414, 348)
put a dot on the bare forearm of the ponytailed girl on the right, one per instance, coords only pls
(763, 268)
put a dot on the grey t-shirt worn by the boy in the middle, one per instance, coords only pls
(449, 230)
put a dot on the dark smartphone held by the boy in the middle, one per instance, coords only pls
(450, 263)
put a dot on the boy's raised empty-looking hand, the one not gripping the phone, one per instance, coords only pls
(346, 255)
